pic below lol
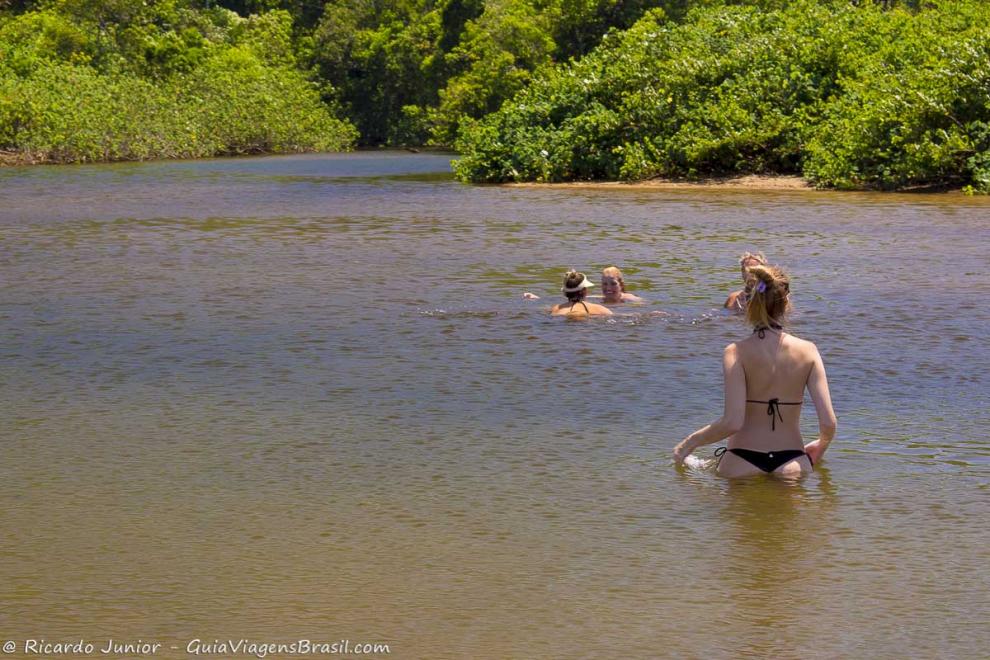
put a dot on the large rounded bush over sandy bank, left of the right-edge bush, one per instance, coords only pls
(726, 91)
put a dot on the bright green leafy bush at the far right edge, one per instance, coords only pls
(916, 110)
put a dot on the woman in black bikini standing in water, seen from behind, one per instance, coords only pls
(765, 378)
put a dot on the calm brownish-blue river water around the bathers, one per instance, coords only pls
(302, 398)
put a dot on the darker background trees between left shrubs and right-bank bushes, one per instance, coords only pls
(415, 71)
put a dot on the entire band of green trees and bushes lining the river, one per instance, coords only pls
(848, 93)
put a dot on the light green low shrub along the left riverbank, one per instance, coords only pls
(225, 100)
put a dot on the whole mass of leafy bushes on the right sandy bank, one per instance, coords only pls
(849, 96)
